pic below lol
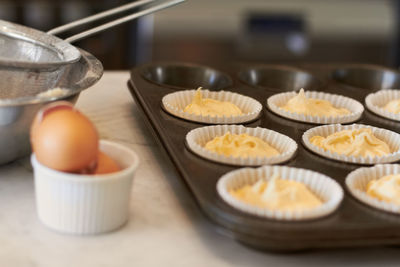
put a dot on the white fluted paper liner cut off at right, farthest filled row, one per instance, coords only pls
(376, 101)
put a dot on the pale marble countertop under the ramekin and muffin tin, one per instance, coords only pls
(166, 227)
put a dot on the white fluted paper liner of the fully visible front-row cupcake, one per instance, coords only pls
(325, 188)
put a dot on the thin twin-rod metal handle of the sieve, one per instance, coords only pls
(116, 22)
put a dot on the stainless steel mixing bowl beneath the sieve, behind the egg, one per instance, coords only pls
(19, 100)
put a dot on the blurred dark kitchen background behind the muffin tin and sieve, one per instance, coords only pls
(223, 31)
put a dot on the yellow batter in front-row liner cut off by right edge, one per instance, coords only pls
(386, 189)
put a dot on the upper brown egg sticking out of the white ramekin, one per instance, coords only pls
(64, 139)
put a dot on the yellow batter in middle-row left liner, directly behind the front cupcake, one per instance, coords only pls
(242, 145)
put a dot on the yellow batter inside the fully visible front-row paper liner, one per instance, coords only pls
(278, 194)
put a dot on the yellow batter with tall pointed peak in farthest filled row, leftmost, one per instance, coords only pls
(211, 107)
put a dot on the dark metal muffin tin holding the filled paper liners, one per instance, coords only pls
(354, 224)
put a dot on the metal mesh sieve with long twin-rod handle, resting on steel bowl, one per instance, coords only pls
(62, 52)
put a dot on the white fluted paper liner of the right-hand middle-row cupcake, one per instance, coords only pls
(391, 138)
